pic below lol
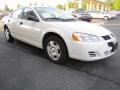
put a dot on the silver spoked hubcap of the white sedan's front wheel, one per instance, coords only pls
(54, 50)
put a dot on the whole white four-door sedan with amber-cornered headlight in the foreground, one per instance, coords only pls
(59, 34)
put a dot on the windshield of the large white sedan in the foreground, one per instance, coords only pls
(48, 13)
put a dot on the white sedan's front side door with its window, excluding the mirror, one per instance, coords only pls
(30, 29)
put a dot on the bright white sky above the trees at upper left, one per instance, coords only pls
(12, 4)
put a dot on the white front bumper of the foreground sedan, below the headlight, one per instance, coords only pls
(90, 51)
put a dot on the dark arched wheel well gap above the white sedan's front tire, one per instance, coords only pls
(51, 34)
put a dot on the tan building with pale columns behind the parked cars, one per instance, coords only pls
(93, 5)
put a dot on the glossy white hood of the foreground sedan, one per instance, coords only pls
(83, 27)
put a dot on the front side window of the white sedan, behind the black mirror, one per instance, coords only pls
(28, 12)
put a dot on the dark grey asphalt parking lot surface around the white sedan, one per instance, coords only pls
(24, 67)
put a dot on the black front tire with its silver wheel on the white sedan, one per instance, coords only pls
(56, 50)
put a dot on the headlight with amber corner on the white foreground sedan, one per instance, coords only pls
(77, 36)
